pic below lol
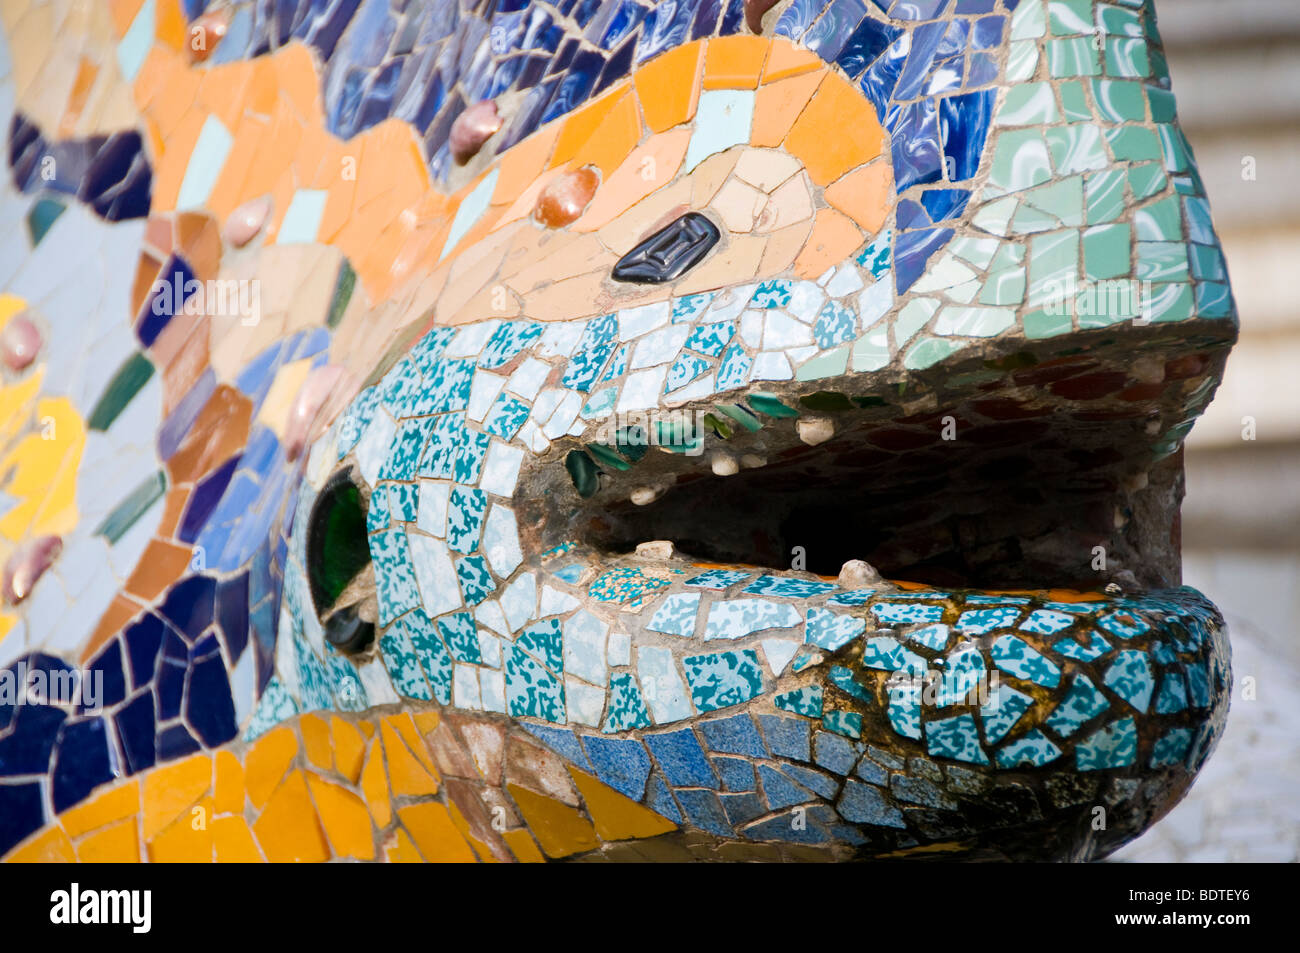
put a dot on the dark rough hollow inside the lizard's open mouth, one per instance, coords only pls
(1021, 470)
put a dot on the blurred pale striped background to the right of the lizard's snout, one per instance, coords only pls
(1237, 75)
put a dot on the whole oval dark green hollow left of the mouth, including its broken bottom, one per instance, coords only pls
(339, 565)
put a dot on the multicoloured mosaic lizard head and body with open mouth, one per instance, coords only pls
(467, 431)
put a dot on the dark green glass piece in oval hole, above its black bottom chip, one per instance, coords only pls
(337, 549)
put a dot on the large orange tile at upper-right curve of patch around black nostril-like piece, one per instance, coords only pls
(837, 132)
